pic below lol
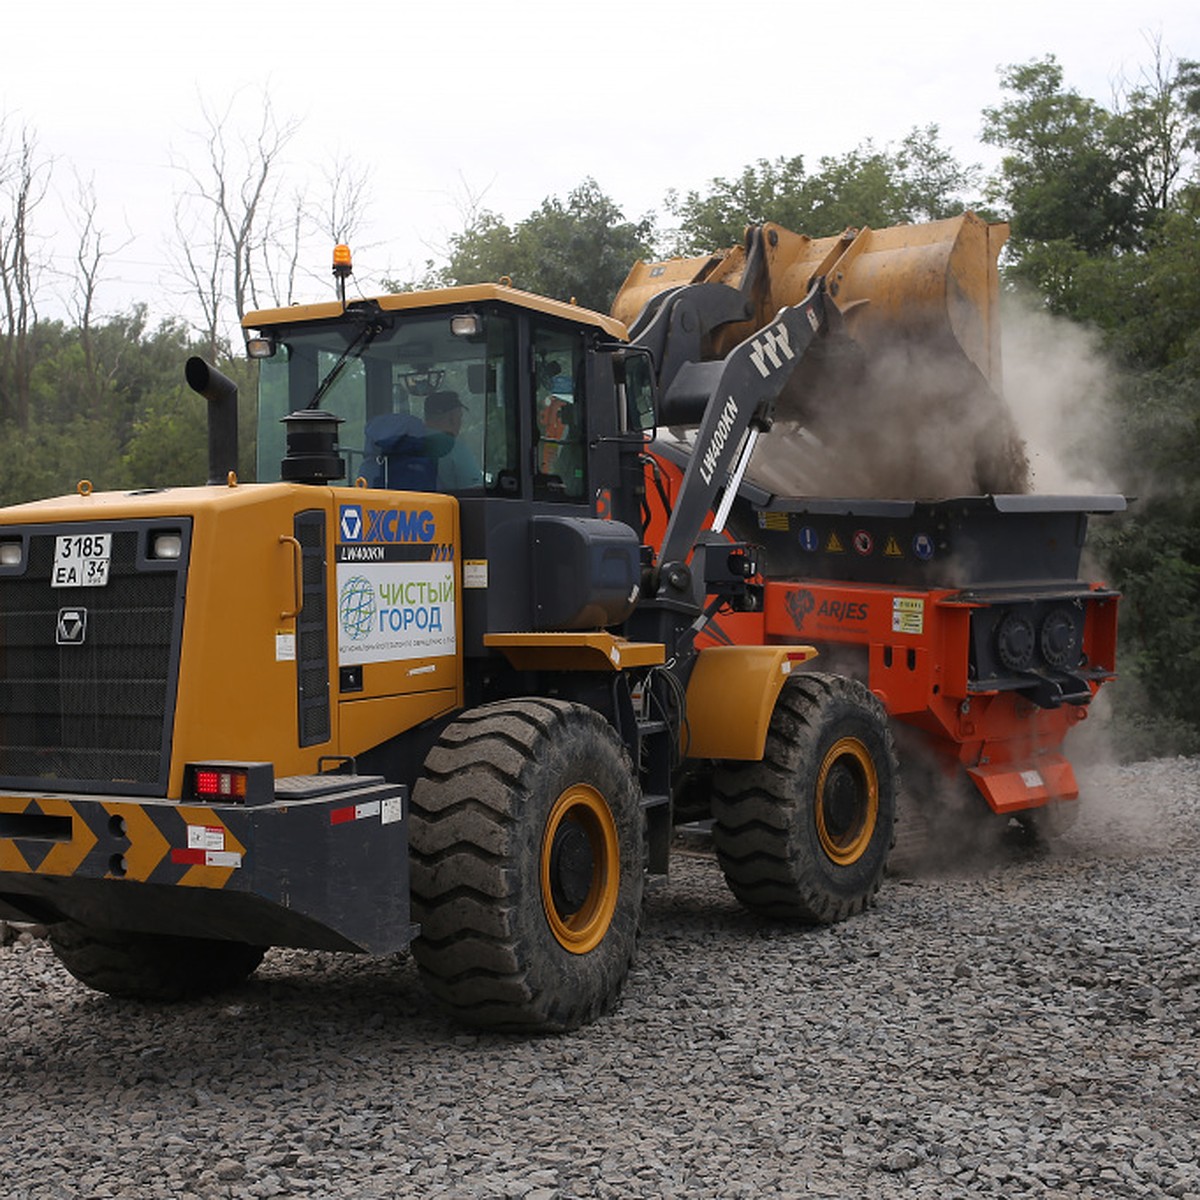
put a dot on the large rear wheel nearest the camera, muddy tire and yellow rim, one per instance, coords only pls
(499, 945)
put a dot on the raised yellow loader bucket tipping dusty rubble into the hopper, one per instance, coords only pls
(903, 397)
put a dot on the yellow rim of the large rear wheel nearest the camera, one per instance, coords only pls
(580, 869)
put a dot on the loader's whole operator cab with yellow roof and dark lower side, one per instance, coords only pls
(505, 400)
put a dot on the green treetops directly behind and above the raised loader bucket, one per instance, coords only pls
(920, 181)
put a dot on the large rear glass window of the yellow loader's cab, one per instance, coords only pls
(423, 407)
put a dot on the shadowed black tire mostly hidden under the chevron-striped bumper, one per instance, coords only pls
(152, 967)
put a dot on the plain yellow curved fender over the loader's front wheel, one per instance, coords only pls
(731, 697)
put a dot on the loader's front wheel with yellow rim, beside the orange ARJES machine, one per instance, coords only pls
(805, 835)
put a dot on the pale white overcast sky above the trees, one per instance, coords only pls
(509, 103)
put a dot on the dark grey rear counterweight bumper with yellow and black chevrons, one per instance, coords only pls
(327, 872)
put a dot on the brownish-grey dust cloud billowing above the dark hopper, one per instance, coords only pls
(917, 421)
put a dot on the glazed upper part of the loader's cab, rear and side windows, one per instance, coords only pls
(434, 400)
